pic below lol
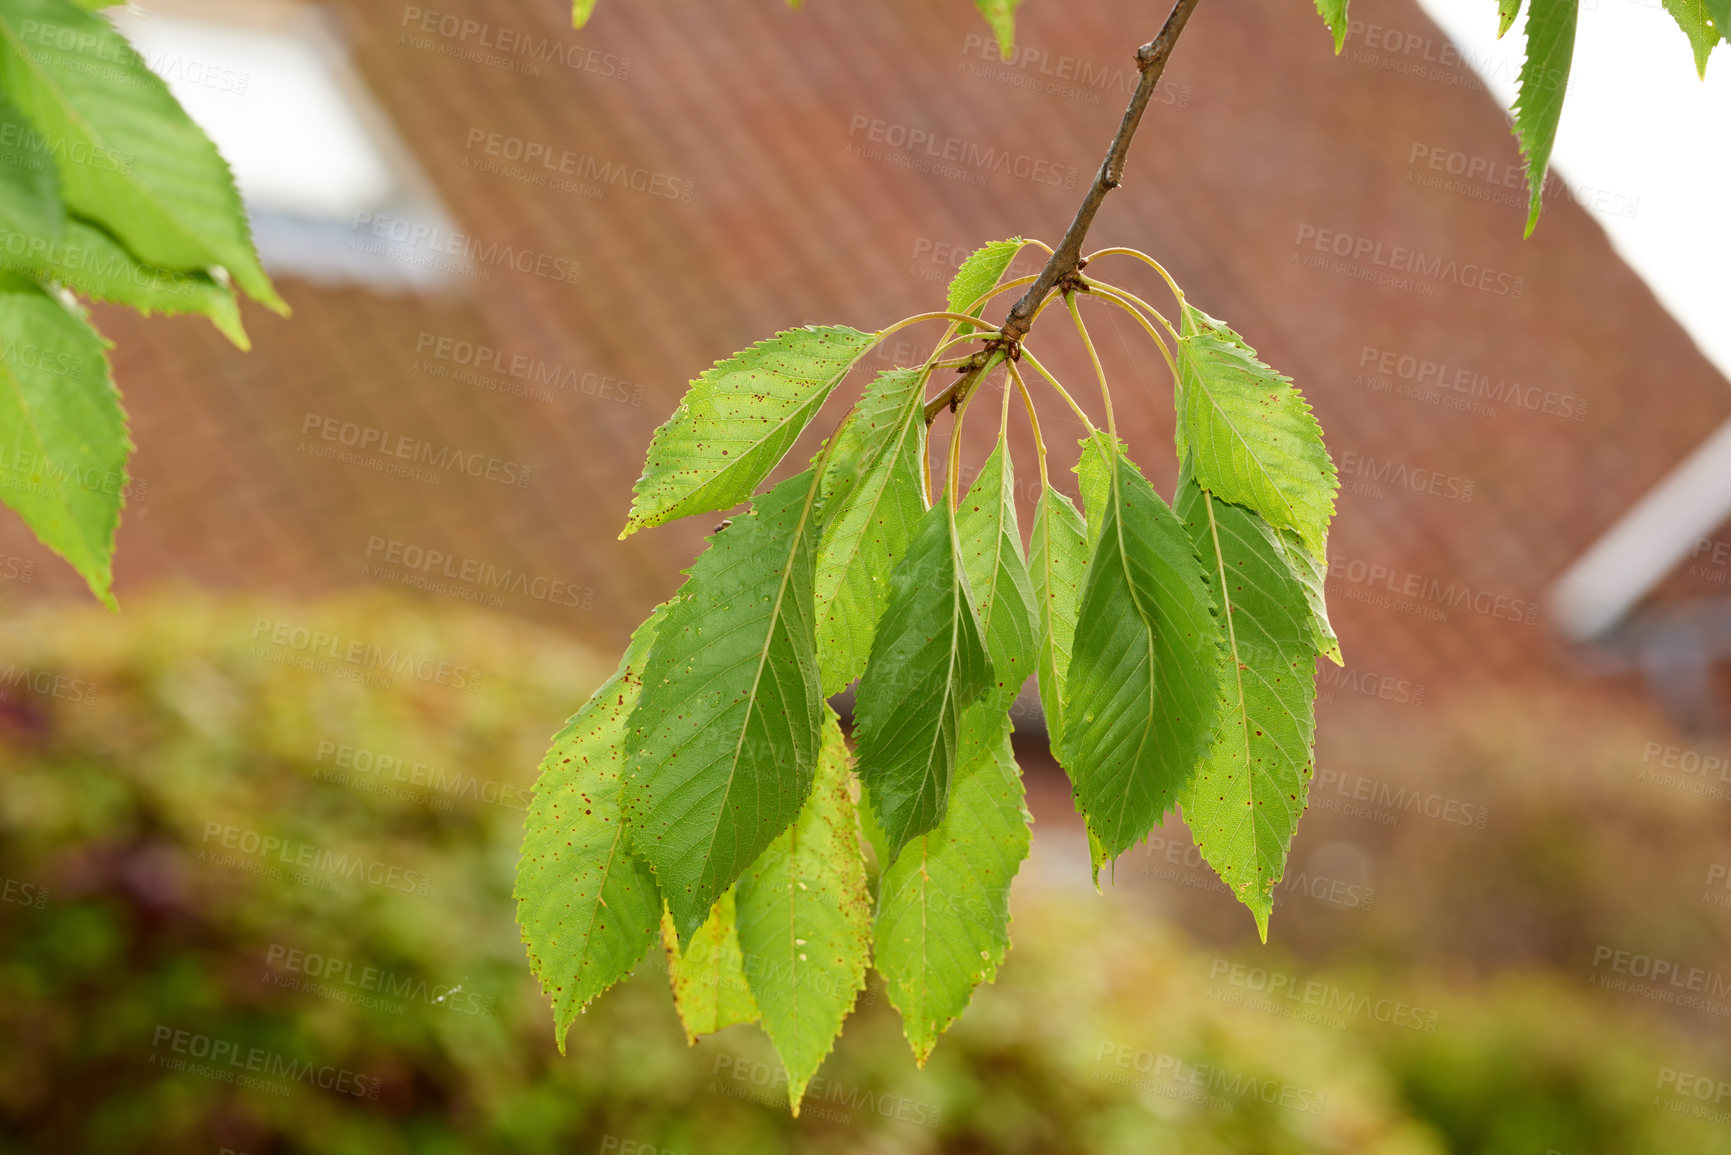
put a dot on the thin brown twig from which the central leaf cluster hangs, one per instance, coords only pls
(1067, 259)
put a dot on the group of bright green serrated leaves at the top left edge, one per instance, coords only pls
(108, 193)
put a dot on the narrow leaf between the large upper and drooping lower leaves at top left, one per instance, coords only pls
(96, 266)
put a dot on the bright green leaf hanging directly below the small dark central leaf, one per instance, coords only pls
(944, 907)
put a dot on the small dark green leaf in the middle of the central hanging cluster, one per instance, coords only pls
(927, 666)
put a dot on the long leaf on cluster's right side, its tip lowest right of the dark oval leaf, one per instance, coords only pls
(1245, 803)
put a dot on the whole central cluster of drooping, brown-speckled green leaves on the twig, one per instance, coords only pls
(707, 797)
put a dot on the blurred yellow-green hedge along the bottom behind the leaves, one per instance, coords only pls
(257, 868)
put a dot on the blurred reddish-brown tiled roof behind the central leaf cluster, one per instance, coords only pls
(1261, 148)
